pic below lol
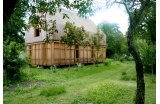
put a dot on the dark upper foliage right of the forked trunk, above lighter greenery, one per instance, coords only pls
(147, 26)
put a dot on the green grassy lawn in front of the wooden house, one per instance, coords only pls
(113, 83)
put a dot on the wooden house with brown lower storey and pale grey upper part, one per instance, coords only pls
(56, 53)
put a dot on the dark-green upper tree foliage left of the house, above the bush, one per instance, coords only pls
(14, 28)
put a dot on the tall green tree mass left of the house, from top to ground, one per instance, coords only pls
(13, 42)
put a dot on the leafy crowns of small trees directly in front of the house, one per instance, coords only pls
(78, 35)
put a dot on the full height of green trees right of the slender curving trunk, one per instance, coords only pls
(145, 39)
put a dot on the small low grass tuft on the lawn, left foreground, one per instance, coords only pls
(53, 91)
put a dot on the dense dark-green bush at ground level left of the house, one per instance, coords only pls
(12, 62)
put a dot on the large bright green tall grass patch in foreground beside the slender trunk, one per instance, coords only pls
(106, 93)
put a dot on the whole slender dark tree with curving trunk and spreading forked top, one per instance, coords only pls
(135, 10)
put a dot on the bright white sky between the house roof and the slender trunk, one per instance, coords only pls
(115, 14)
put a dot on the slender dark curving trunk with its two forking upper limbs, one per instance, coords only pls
(134, 19)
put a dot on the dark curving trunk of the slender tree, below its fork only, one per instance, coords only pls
(140, 93)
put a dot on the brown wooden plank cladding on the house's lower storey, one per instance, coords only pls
(55, 53)
